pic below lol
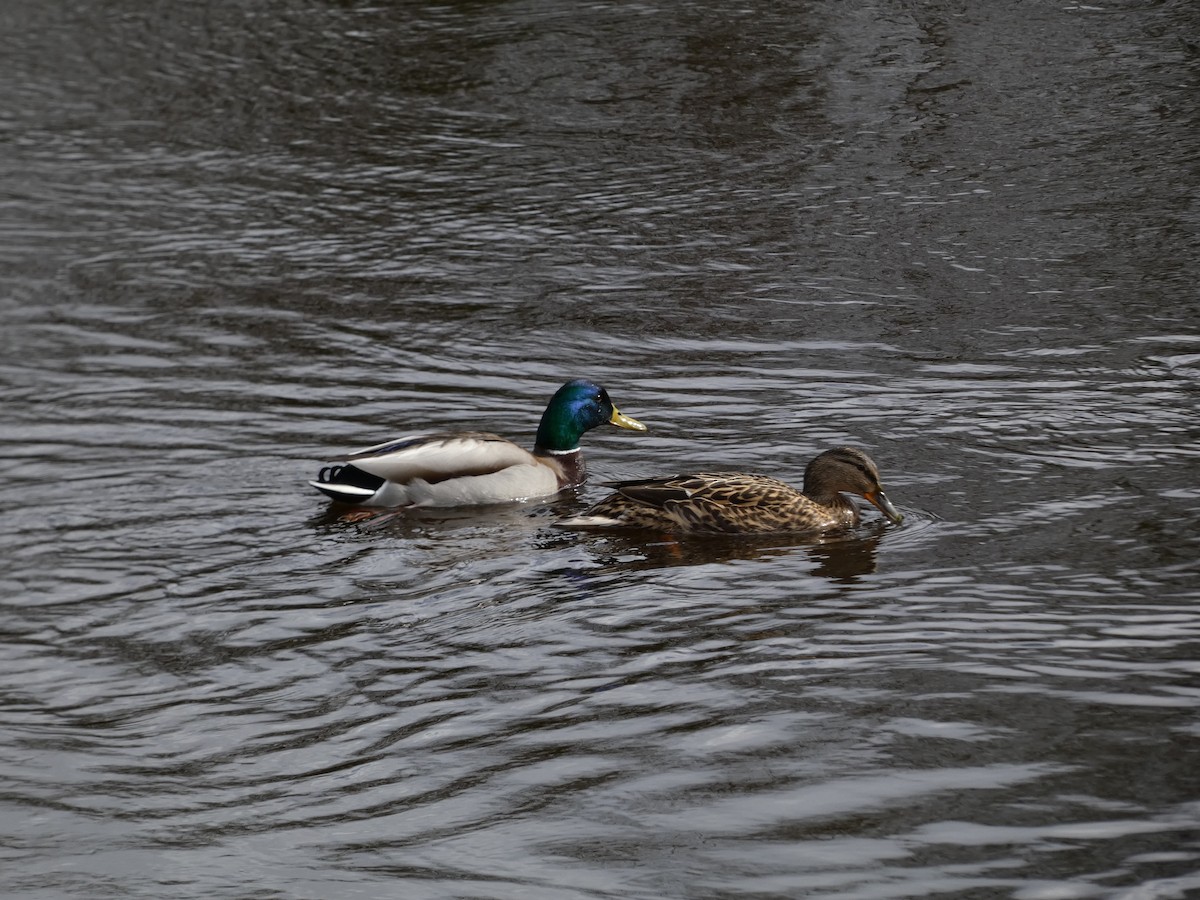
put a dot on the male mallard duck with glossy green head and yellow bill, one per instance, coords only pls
(469, 469)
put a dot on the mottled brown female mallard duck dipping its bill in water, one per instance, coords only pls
(734, 503)
